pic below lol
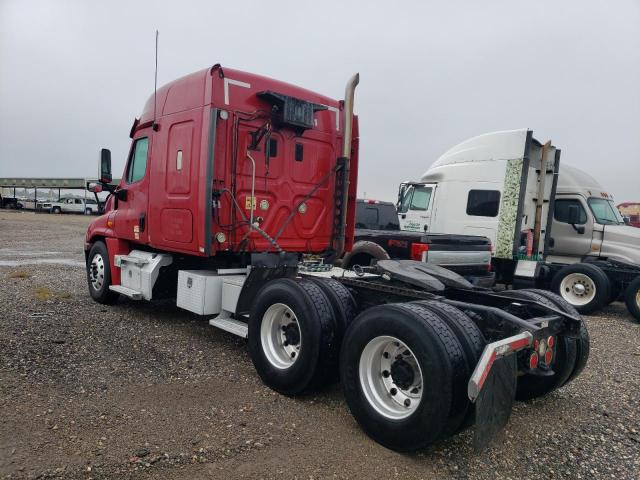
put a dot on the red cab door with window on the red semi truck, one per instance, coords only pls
(133, 202)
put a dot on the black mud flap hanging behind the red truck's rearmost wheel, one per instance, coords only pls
(493, 405)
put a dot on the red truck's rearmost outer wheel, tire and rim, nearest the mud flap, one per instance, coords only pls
(402, 371)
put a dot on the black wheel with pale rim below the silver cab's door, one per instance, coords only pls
(586, 287)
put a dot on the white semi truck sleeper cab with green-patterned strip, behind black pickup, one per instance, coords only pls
(488, 185)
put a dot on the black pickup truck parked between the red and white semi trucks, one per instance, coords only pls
(378, 236)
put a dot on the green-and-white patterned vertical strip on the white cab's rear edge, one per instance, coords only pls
(509, 209)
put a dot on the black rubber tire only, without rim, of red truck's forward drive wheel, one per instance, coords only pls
(317, 361)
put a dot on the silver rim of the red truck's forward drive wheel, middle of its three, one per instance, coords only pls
(280, 336)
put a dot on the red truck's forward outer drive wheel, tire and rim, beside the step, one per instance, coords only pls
(292, 336)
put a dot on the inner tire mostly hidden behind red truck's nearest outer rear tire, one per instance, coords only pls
(472, 342)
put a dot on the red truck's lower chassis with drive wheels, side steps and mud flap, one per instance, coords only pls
(421, 353)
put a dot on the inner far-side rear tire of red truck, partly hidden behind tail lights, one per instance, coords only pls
(563, 362)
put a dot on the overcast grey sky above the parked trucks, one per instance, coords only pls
(74, 74)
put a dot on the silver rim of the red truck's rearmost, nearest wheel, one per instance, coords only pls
(390, 377)
